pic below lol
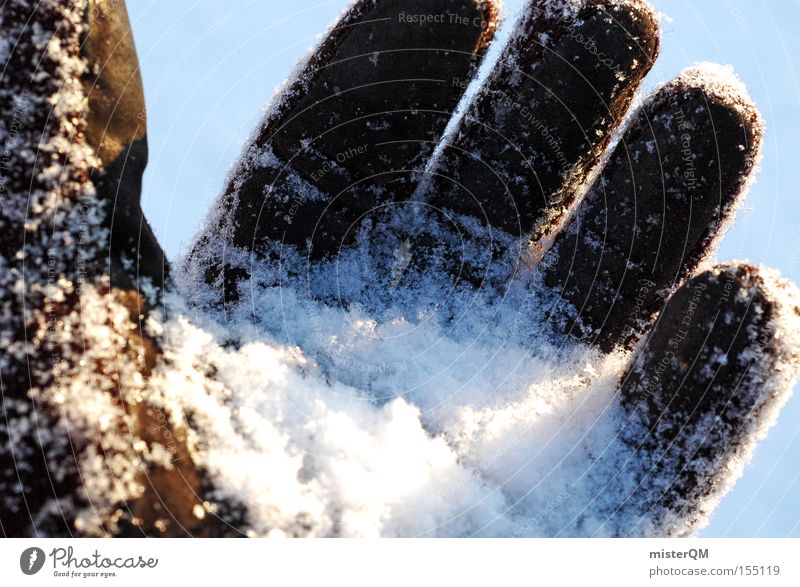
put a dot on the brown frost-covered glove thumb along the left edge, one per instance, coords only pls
(81, 449)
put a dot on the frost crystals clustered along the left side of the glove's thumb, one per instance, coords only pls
(68, 456)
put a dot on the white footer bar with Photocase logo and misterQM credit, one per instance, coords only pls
(409, 562)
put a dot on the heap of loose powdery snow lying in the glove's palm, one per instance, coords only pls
(337, 399)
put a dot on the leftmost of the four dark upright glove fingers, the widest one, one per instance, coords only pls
(350, 132)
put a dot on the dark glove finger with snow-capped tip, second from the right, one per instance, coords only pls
(658, 208)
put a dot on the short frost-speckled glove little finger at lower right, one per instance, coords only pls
(703, 389)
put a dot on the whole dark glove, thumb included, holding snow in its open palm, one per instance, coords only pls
(388, 326)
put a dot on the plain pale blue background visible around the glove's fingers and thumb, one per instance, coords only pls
(210, 67)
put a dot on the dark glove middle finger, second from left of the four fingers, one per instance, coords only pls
(545, 115)
